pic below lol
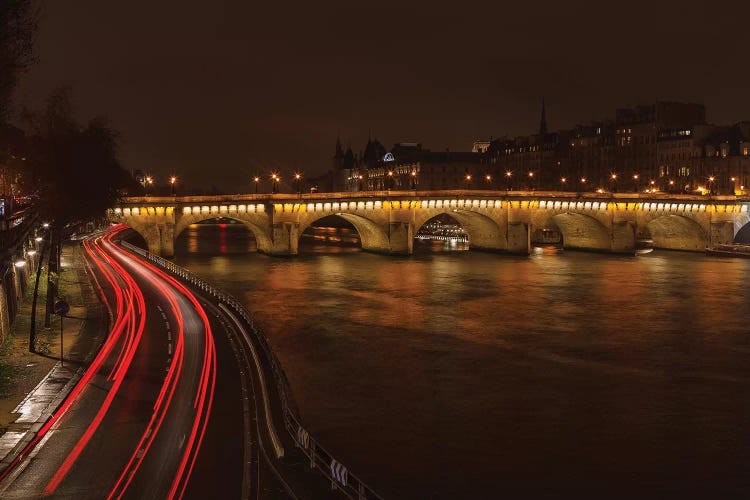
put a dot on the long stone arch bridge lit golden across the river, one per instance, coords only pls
(500, 221)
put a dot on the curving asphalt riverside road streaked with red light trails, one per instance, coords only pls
(174, 404)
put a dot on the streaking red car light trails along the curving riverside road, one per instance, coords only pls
(122, 272)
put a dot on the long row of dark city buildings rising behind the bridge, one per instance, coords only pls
(661, 147)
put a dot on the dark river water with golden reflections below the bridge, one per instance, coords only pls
(454, 374)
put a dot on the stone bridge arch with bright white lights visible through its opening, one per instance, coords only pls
(483, 231)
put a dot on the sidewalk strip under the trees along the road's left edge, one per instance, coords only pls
(34, 385)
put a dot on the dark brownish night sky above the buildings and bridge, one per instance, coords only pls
(216, 91)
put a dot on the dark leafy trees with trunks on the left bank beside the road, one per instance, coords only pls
(67, 171)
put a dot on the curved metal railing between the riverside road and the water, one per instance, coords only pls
(319, 458)
